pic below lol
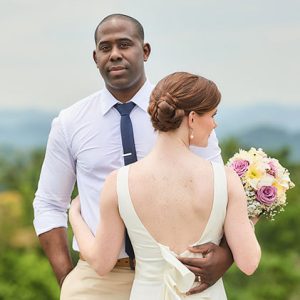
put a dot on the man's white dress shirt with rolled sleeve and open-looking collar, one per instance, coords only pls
(85, 145)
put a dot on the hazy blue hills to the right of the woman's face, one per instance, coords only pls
(270, 127)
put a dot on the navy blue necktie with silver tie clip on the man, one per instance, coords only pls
(129, 152)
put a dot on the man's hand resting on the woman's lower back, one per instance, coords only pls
(211, 267)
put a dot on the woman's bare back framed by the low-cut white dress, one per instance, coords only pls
(173, 200)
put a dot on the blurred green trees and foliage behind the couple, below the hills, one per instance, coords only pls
(25, 273)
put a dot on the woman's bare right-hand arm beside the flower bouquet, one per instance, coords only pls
(238, 230)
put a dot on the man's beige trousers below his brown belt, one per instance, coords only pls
(83, 283)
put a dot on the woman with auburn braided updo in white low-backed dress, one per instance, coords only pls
(171, 199)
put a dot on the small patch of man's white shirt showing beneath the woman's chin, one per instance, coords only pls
(212, 152)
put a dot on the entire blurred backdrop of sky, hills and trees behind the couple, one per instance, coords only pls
(249, 48)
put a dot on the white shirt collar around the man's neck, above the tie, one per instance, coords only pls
(141, 98)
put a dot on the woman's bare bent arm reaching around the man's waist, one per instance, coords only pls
(101, 251)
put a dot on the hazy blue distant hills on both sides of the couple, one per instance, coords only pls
(265, 126)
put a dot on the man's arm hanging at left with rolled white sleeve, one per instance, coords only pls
(52, 201)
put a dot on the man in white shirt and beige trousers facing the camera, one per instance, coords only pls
(85, 144)
